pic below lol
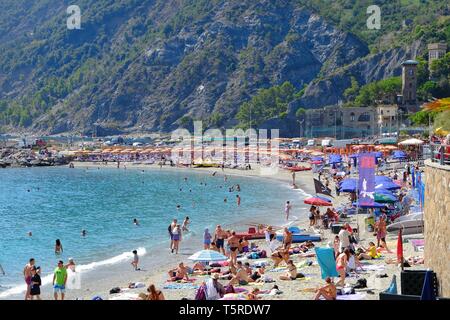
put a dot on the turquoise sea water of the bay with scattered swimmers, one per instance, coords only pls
(57, 203)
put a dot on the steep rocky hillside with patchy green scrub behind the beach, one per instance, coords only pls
(153, 65)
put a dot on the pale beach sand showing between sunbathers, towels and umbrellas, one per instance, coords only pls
(292, 290)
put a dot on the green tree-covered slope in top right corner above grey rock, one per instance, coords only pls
(402, 21)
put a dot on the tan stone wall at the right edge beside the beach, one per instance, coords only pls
(437, 223)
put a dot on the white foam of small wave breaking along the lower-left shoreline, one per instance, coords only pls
(19, 289)
